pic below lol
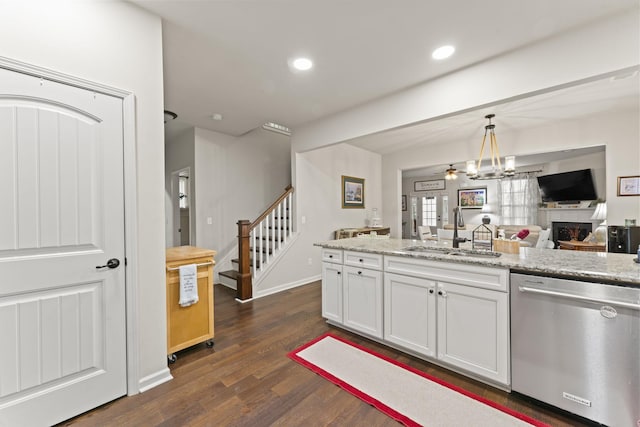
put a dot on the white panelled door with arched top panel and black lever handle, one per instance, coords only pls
(62, 318)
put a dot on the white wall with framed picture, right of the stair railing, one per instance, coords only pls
(318, 199)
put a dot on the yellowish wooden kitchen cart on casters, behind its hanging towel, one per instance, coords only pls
(187, 326)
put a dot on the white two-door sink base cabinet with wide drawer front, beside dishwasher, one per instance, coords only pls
(464, 323)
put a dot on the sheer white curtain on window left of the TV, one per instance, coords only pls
(518, 199)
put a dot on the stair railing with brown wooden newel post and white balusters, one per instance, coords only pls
(258, 241)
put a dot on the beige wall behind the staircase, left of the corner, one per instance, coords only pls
(236, 178)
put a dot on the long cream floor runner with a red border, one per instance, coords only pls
(406, 394)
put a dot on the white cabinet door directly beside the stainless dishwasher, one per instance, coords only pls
(473, 330)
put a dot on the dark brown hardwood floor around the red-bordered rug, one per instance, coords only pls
(246, 379)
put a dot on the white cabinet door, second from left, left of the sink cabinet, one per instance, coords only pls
(362, 297)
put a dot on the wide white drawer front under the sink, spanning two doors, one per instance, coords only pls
(464, 274)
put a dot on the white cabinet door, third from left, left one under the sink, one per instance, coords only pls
(410, 313)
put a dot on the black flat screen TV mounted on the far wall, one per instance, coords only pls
(571, 186)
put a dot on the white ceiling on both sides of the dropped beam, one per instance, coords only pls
(230, 57)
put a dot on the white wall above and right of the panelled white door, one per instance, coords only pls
(119, 45)
